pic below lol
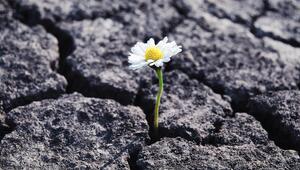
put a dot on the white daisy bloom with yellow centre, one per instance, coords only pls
(143, 54)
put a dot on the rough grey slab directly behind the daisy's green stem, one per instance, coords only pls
(188, 108)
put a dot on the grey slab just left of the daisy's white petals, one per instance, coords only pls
(99, 66)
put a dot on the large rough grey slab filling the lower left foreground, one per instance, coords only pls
(73, 132)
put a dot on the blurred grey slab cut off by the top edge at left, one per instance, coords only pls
(72, 10)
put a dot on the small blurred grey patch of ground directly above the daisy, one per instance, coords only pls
(156, 19)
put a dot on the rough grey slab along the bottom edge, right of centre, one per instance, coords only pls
(177, 153)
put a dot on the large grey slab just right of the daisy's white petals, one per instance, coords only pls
(229, 59)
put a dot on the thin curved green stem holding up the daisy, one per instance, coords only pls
(159, 94)
